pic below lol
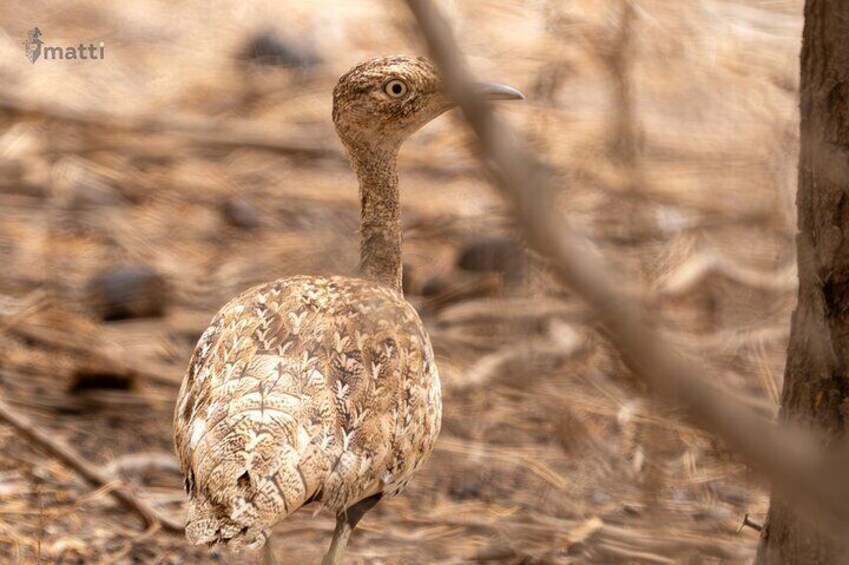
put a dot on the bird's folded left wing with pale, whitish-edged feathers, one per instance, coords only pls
(253, 424)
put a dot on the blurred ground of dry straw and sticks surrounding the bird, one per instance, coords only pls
(140, 192)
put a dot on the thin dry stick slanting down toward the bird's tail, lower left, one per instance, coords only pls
(30, 431)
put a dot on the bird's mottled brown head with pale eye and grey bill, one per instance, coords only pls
(381, 102)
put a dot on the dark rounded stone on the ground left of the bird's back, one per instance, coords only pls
(133, 291)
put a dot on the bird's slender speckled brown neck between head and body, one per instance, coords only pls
(380, 221)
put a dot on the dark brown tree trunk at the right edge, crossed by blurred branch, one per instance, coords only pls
(816, 380)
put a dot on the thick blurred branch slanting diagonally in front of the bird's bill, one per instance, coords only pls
(791, 458)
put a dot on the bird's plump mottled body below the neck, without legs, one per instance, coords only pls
(304, 389)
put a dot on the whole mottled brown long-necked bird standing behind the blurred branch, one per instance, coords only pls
(321, 389)
